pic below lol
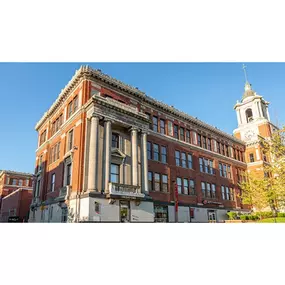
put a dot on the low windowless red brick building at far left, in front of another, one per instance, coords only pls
(17, 205)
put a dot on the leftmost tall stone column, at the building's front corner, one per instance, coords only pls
(93, 154)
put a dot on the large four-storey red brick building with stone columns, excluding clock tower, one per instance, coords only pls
(108, 152)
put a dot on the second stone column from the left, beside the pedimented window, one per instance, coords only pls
(107, 161)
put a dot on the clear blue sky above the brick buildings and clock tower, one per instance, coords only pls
(204, 90)
